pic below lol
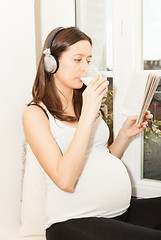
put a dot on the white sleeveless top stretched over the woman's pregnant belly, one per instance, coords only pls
(103, 188)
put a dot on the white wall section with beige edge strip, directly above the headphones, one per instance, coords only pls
(54, 13)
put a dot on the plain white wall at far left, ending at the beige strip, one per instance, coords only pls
(17, 70)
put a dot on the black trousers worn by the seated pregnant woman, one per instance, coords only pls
(142, 221)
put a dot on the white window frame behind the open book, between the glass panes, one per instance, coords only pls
(127, 35)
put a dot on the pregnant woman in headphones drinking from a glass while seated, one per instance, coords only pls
(88, 187)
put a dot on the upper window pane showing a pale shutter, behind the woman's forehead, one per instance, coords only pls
(91, 19)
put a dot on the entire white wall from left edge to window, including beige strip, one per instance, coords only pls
(17, 73)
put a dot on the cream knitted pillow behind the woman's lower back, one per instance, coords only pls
(33, 197)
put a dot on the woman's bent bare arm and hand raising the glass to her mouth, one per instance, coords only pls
(65, 169)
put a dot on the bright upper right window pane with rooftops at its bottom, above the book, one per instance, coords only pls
(151, 34)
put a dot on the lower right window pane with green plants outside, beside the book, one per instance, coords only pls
(152, 140)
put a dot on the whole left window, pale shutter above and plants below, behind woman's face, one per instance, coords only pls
(95, 18)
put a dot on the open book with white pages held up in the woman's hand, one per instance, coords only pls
(139, 94)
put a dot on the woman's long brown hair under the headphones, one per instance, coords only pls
(45, 90)
